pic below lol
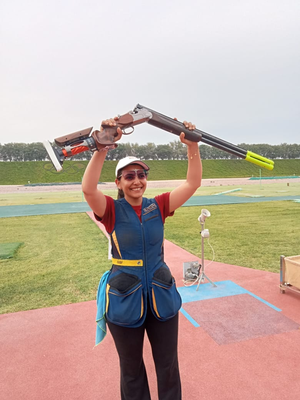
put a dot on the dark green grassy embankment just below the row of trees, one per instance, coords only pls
(20, 173)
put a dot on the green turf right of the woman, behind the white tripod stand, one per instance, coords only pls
(248, 235)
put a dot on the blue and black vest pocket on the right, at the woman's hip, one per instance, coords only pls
(165, 299)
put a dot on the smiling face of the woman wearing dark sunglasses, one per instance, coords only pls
(133, 184)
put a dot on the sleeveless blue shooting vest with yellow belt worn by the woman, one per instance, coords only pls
(139, 275)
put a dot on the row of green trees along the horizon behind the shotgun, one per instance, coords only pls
(150, 151)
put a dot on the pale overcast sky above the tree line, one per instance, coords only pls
(231, 67)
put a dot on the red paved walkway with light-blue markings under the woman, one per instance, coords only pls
(238, 341)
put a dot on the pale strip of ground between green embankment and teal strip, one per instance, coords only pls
(21, 194)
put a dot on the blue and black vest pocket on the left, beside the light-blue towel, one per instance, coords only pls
(124, 299)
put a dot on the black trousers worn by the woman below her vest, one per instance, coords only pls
(163, 337)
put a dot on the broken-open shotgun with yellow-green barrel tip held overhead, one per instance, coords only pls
(89, 140)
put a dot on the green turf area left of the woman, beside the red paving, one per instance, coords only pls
(61, 261)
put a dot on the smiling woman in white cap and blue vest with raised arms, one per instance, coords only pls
(140, 291)
